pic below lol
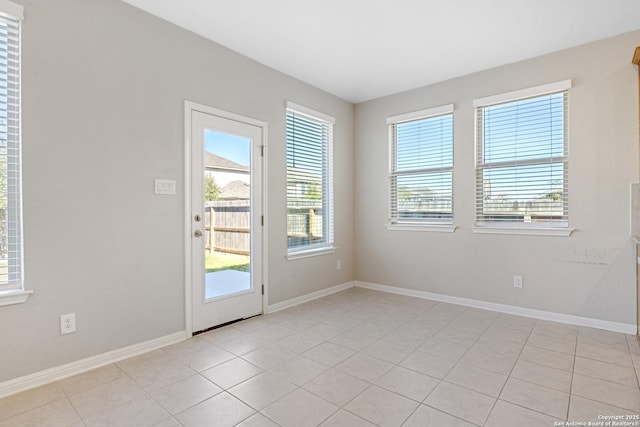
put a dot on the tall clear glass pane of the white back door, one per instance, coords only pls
(227, 218)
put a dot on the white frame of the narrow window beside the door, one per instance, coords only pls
(328, 123)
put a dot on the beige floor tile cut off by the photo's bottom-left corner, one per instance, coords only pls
(57, 413)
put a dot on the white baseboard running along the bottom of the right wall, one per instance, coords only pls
(625, 328)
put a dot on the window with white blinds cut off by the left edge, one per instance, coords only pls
(10, 152)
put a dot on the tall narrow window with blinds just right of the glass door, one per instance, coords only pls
(309, 181)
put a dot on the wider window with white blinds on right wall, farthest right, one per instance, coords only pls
(522, 159)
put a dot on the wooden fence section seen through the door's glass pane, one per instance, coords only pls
(227, 226)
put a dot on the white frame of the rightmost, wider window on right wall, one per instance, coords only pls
(543, 228)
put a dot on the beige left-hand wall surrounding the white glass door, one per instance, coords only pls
(104, 86)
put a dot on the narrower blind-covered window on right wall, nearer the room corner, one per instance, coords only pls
(421, 168)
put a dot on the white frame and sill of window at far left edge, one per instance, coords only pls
(13, 292)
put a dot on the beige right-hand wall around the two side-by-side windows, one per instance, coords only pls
(589, 274)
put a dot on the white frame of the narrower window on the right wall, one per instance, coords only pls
(430, 224)
